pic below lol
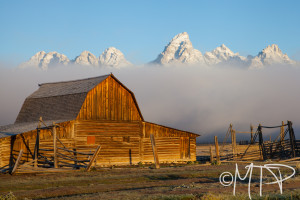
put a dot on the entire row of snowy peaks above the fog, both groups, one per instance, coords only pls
(179, 51)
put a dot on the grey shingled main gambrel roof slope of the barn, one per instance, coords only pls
(56, 101)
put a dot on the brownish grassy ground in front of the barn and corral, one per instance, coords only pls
(190, 181)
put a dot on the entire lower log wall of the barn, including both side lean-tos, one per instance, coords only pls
(122, 143)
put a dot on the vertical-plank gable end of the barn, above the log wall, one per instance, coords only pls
(110, 100)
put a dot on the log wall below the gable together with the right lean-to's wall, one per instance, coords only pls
(124, 143)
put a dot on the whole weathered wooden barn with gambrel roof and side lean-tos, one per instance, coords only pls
(66, 121)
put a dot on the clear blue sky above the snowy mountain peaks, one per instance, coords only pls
(141, 29)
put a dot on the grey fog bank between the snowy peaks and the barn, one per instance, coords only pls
(200, 99)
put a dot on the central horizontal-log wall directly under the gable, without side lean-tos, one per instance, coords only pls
(119, 140)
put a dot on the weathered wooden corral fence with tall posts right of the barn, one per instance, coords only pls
(285, 146)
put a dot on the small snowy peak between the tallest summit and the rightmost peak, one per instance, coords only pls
(223, 54)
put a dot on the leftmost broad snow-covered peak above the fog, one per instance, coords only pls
(43, 60)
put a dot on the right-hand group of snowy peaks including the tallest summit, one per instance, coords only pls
(180, 50)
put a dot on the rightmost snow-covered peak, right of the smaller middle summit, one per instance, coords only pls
(269, 56)
